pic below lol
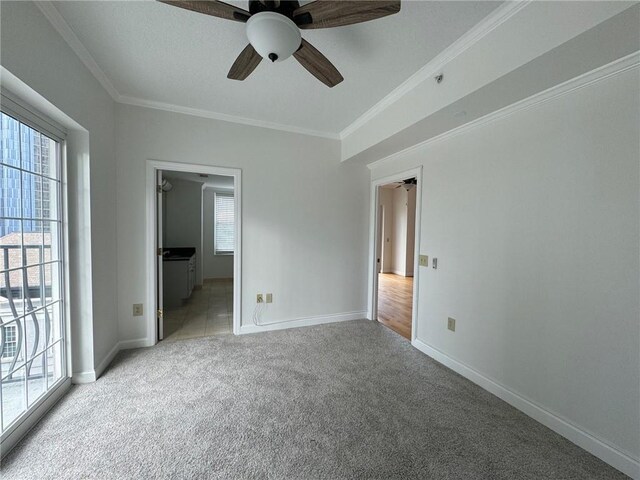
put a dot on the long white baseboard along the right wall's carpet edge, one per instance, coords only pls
(601, 449)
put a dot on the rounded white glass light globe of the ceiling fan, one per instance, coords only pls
(273, 35)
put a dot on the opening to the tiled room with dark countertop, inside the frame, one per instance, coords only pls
(195, 281)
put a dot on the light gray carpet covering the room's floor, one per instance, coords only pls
(348, 400)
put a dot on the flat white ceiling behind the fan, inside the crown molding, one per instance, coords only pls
(158, 53)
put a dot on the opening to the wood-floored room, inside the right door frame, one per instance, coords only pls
(395, 254)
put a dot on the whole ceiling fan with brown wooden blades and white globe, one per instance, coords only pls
(273, 29)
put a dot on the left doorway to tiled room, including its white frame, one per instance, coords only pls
(194, 241)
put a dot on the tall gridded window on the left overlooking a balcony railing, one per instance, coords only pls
(32, 333)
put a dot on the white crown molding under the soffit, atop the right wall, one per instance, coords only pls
(609, 70)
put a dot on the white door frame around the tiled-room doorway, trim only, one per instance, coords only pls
(152, 166)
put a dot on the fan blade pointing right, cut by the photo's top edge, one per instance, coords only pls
(332, 13)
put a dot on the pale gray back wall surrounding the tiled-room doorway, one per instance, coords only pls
(305, 215)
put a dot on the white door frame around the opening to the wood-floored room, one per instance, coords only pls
(372, 313)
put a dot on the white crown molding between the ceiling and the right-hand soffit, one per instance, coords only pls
(487, 25)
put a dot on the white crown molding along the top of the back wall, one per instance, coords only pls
(196, 112)
